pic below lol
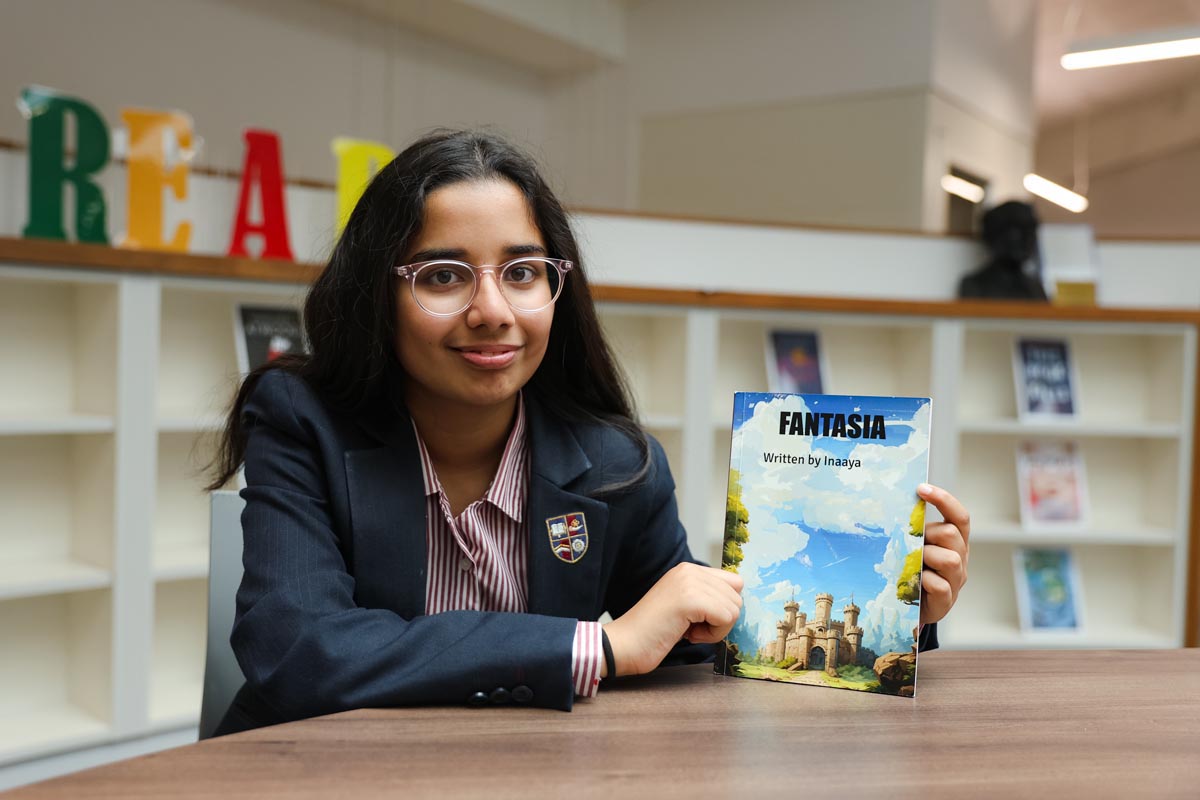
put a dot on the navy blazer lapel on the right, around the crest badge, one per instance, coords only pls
(559, 588)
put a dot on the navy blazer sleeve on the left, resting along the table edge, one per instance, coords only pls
(303, 643)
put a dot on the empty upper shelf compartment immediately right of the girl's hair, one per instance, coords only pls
(650, 348)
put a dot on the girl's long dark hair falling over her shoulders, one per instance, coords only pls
(351, 310)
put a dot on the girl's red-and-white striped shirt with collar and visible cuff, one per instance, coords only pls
(479, 560)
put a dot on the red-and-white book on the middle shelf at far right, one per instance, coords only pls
(1053, 485)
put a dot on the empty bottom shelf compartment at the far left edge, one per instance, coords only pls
(56, 677)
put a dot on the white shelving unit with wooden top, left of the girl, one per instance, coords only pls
(115, 390)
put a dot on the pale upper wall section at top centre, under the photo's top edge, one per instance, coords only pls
(691, 56)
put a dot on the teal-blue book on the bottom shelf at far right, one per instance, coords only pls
(1049, 597)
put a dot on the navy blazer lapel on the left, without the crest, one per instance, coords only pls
(388, 516)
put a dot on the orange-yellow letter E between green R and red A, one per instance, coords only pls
(149, 173)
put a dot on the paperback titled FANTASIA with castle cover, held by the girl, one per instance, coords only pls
(826, 530)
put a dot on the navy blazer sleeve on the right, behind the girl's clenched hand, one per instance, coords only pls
(656, 543)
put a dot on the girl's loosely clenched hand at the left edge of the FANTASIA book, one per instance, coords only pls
(691, 601)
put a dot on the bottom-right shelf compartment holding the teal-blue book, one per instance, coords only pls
(1127, 601)
